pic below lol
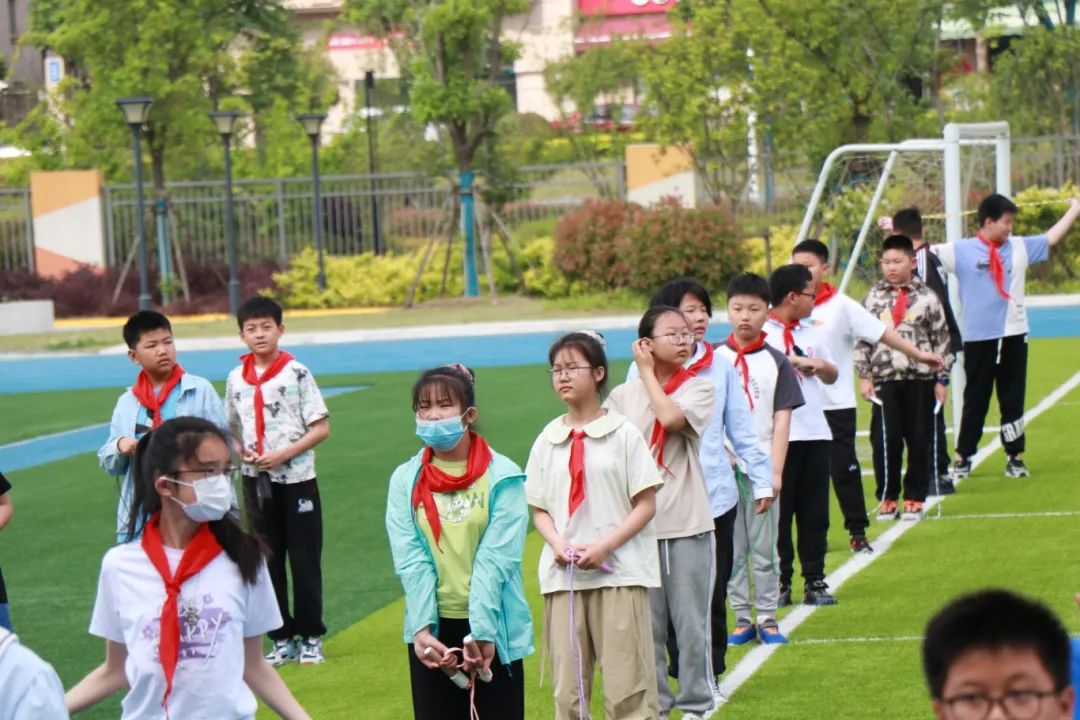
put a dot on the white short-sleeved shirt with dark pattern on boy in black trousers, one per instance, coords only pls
(292, 403)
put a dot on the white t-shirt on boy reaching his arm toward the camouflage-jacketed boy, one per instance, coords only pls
(843, 321)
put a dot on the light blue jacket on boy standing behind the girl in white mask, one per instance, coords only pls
(195, 397)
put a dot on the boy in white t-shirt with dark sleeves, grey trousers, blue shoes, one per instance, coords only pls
(773, 392)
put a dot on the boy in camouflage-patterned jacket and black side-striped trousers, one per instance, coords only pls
(907, 390)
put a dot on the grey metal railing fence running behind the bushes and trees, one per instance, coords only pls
(275, 218)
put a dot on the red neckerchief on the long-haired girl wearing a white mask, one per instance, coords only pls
(199, 553)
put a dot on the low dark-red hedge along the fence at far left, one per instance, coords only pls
(88, 292)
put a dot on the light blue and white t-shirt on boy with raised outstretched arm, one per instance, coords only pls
(985, 315)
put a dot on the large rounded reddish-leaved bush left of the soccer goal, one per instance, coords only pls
(615, 244)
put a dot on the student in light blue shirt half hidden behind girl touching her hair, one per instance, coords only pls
(732, 424)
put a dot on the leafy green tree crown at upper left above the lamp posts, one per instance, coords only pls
(188, 56)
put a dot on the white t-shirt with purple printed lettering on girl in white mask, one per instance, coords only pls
(218, 612)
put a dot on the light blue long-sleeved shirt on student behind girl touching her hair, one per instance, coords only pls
(732, 420)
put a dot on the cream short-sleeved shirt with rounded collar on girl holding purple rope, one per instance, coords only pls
(618, 467)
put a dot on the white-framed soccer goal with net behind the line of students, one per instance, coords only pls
(944, 178)
